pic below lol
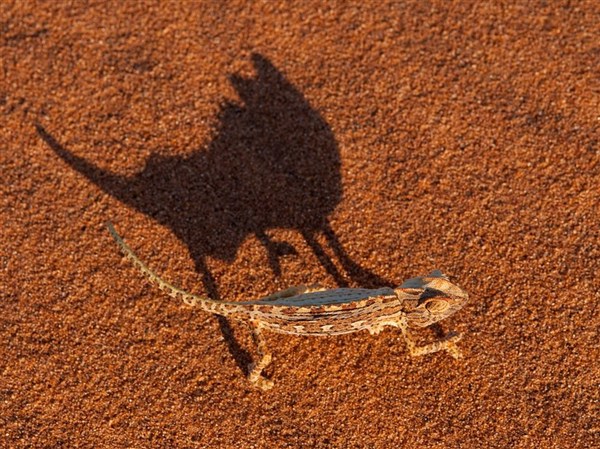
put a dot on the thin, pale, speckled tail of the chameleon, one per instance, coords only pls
(190, 299)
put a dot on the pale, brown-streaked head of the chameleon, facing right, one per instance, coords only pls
(431, 298)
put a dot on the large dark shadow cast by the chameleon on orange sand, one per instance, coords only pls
(273, 163)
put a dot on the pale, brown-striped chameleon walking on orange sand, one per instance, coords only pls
(316, 311)
